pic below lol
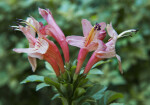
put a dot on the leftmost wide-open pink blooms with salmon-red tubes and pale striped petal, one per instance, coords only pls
(40, 47)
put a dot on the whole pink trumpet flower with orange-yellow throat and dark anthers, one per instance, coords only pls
(89, 42)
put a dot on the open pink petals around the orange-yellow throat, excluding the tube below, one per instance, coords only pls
(91, 35)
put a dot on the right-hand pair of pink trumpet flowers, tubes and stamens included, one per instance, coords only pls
(93, 41)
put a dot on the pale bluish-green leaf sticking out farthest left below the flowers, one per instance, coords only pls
(33, 78)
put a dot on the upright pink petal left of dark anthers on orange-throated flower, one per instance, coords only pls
(86, 26)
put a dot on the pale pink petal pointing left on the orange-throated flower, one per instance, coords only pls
(77, 41)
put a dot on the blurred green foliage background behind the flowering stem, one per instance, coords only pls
(134, 51)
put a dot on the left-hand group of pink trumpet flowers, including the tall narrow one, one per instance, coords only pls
(41, 47)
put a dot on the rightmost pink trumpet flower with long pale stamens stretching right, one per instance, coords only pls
(107, 50)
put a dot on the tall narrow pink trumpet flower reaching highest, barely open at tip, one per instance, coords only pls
(53, 30)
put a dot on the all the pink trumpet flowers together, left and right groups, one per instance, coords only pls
(43, 48)
